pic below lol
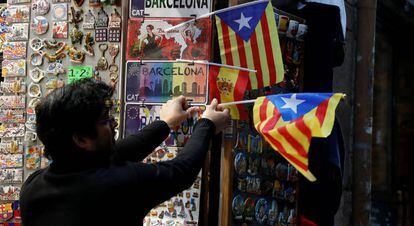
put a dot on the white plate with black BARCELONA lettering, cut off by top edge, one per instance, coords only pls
(170, 8)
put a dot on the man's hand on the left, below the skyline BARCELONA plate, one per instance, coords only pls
(175, 111)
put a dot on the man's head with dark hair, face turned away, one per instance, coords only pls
(76, 117)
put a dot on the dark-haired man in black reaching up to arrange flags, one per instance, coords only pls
(94, 180)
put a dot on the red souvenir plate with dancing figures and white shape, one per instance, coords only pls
(147, 40)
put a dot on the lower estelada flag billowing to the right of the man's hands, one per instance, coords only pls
(289, 121)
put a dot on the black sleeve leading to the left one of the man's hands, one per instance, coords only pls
(136, 147)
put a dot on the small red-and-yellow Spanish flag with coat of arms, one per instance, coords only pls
(228, 85)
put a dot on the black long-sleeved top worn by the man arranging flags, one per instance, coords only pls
(90, 189)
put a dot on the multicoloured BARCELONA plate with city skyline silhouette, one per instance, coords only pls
(158, 82)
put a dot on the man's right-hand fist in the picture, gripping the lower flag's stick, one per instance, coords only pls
(217, 115)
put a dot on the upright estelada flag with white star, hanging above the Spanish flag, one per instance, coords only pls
(248, 37)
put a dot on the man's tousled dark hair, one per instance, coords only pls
(72, 109)
